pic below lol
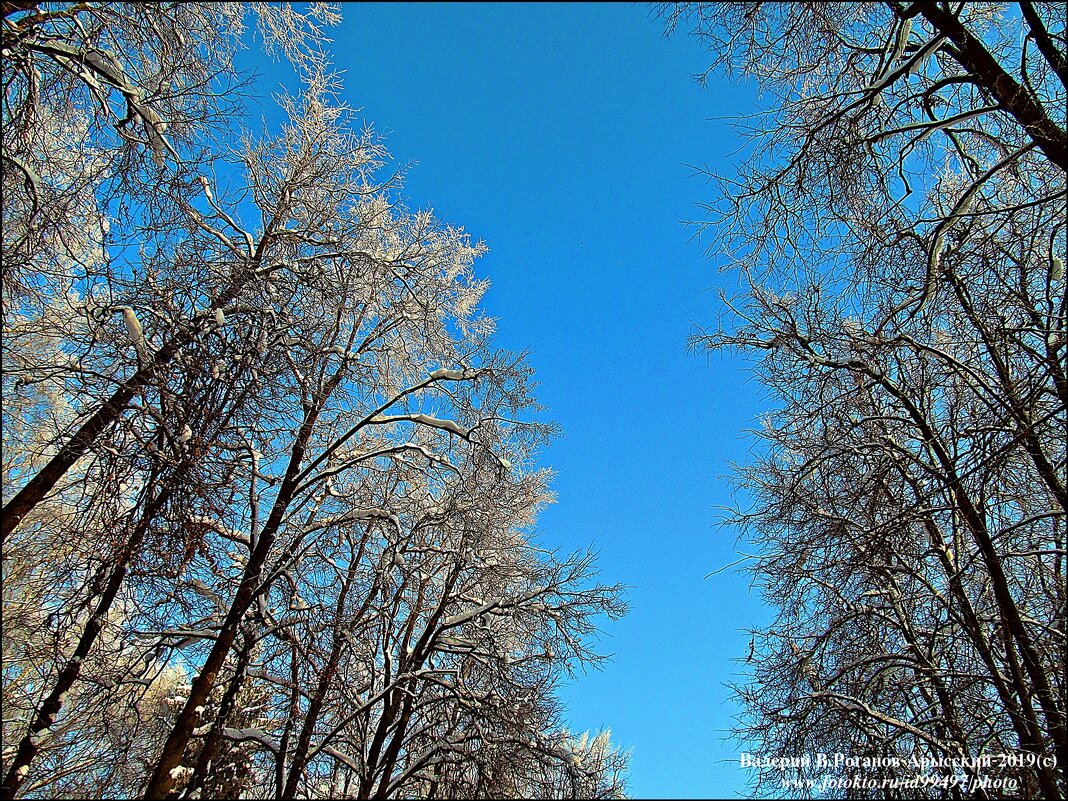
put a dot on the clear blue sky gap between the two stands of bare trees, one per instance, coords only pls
(560, 134)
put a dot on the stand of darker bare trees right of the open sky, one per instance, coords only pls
(901, 233)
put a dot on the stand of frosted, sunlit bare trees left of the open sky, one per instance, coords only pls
(288, 553)
